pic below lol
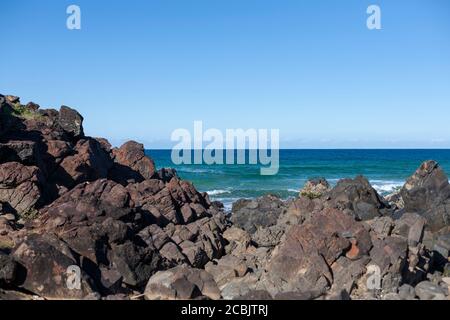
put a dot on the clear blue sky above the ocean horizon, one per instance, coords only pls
(140, 69)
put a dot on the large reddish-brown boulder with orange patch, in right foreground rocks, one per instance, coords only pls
(302, 262)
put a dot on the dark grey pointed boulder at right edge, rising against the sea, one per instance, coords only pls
(427, 192)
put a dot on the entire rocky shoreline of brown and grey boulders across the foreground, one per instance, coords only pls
(136, 232)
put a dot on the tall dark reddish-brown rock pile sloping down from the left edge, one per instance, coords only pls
(72, 200)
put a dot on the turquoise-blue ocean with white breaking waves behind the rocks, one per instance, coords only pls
(387, 170)
